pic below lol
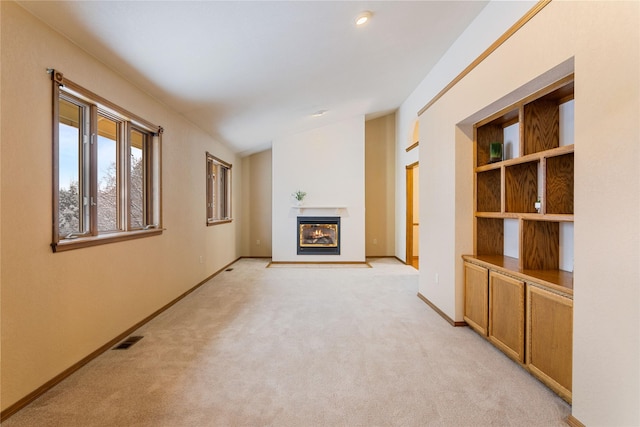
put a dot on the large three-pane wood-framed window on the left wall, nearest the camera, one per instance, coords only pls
(106, 164)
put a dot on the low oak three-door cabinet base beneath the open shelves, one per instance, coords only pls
(529, 318)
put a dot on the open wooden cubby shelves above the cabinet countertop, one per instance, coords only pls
(542, 171)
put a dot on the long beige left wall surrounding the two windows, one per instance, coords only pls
(58, 308)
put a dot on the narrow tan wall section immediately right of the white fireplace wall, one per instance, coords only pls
(380, 185)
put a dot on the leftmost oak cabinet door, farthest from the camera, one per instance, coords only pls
(476, 297)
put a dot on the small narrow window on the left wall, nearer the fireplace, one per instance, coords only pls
(218, 191)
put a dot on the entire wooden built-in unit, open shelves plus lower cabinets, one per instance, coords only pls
(521, 299)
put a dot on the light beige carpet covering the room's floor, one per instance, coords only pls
(258, 346)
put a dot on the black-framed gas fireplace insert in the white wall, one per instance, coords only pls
(318, 235)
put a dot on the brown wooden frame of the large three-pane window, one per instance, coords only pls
(96, 106)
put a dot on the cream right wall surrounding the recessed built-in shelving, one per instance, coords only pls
(601, 42)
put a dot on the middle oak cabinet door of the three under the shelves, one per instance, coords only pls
(506, 315)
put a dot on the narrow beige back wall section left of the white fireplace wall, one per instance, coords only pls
(257, 203)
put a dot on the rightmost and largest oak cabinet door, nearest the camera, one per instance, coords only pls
(550, 336)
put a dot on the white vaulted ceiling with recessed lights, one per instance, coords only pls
(247, 72)
